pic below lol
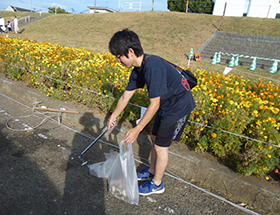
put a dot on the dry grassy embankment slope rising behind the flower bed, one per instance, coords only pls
(168, 34)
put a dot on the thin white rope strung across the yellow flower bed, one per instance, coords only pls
(256, 140)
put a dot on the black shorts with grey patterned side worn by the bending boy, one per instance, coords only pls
(168, 131)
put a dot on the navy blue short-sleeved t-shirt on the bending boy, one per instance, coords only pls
(164, 80)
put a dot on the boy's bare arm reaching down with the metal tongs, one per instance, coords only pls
(122, 103)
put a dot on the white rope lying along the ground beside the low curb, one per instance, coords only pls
(166, 173)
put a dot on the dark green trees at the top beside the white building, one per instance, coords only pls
(194, 6)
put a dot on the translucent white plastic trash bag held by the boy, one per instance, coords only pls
(119, 169)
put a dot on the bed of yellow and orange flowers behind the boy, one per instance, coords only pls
(236, 119)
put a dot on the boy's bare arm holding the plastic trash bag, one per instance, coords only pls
(132, 134)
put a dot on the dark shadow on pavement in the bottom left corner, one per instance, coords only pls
(24, 187)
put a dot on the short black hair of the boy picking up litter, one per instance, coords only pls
(123, 40)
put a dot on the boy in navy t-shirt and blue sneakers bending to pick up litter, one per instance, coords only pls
(170, 99)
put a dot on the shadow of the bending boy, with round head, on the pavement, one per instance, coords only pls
(83, 193)
